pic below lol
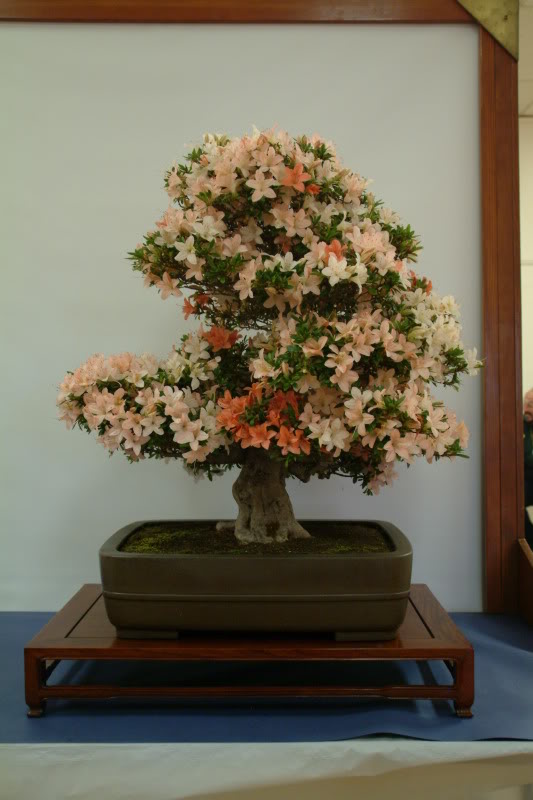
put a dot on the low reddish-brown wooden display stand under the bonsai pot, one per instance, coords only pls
(81, 631)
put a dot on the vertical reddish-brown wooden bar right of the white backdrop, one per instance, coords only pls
(503, 441)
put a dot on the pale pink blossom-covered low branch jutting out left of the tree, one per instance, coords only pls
(136, 405)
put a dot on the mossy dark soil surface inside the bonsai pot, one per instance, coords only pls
(202, 538)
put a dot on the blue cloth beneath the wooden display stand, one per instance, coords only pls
(503, 707)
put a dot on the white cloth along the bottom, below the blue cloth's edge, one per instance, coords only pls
(369, 769)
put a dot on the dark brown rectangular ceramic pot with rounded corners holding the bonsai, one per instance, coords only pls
(356, 596)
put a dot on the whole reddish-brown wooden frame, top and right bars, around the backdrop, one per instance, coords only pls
(503, 443)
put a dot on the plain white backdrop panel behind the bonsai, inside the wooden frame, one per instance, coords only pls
(91, 117)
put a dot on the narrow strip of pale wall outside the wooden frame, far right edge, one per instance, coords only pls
(526, 247)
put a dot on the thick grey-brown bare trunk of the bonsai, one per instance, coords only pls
(265, 509)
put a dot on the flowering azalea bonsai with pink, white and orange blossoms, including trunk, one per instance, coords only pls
(317, 346)
